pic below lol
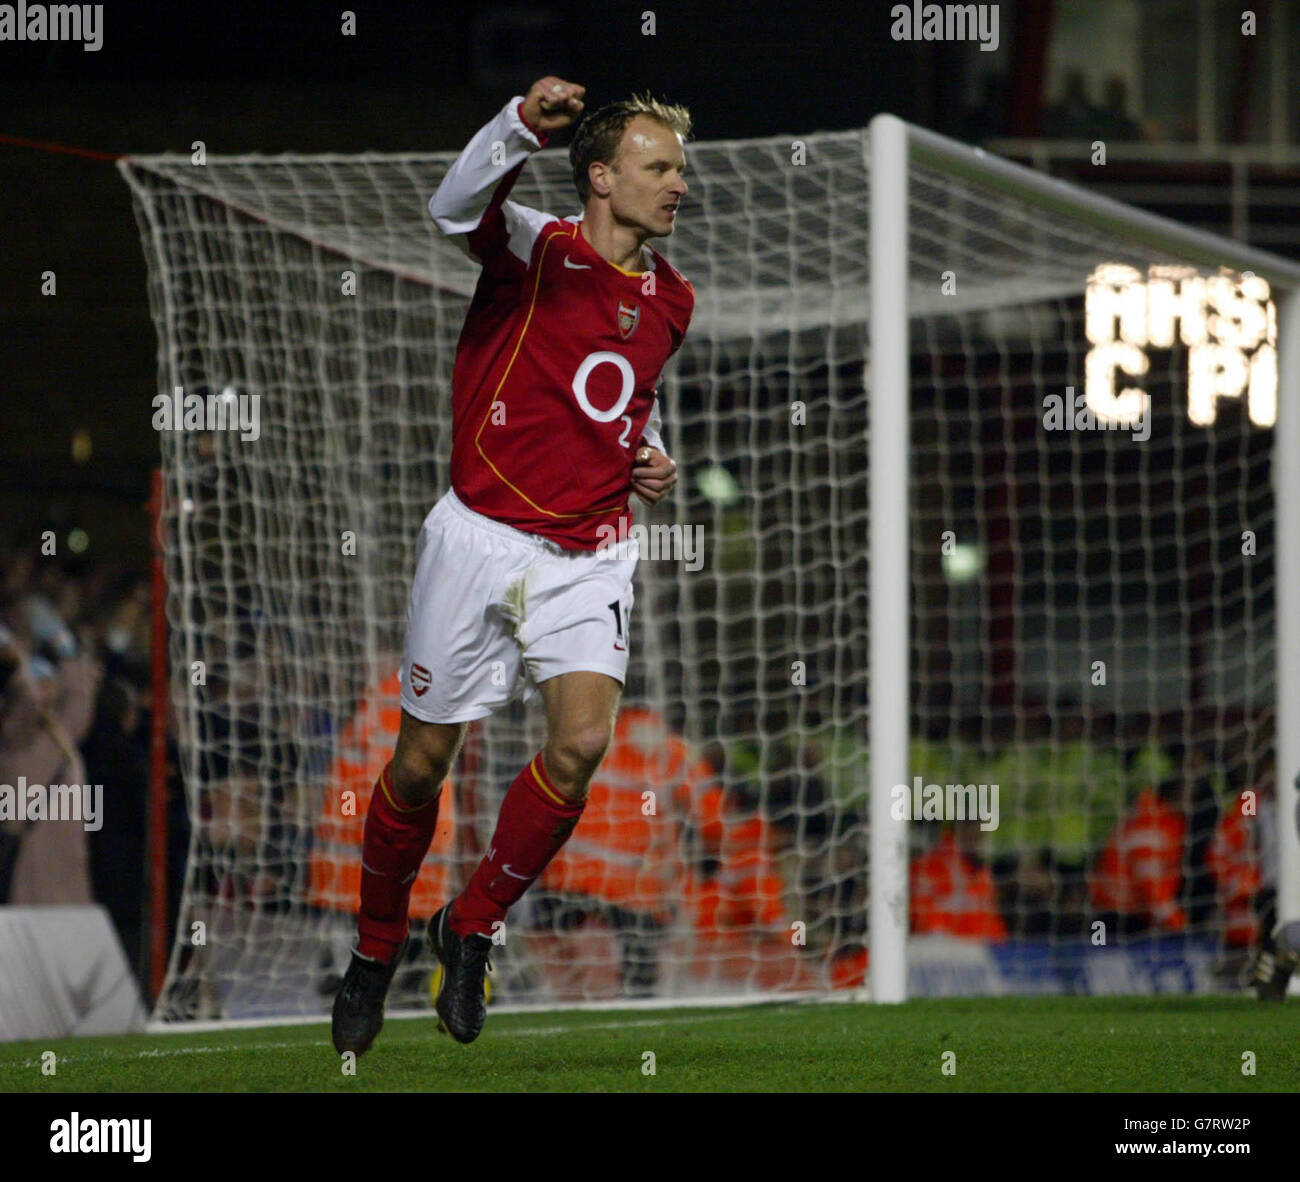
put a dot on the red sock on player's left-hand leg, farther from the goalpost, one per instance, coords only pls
(397, 839)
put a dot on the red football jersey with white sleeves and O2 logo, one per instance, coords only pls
(556, 373)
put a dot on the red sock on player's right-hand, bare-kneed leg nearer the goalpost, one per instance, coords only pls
(535, 822)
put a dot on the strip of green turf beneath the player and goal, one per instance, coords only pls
(1032, 1045)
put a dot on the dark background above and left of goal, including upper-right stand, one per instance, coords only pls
(280, 77)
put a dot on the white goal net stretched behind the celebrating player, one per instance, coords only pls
(1091, 614)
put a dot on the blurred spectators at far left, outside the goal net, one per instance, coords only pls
(75, 666)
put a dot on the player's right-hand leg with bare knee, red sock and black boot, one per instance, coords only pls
(538, 816)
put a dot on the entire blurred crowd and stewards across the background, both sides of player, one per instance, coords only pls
(1162, 848)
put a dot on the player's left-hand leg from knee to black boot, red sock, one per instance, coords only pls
(400, 828)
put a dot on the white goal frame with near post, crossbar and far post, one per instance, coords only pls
(898, 276)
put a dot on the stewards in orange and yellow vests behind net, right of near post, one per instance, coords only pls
(1156, 843)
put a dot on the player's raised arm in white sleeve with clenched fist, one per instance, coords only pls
(471, 205)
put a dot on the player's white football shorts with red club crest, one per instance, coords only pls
(496, 612)
